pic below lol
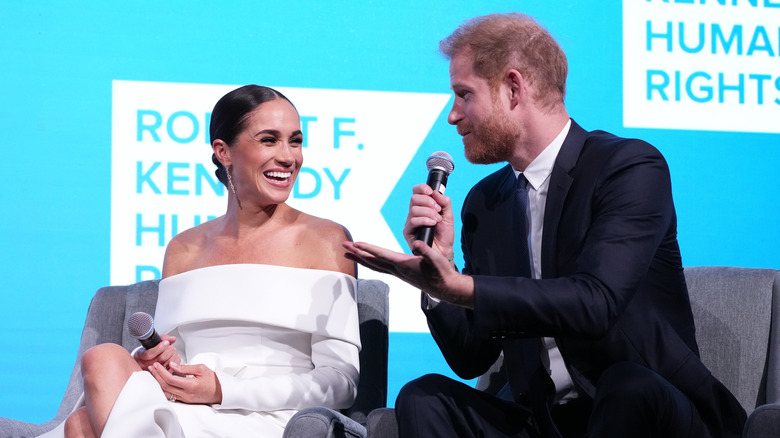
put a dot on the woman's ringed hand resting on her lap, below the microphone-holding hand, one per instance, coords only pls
(200, 386)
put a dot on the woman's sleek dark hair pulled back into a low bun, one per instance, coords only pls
(228, 118)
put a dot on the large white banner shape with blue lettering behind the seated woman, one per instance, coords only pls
(357, 146)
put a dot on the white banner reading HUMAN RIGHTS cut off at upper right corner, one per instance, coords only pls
(701, 65)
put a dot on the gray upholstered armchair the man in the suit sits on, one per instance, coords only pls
(737, 315)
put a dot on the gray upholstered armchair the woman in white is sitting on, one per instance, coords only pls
(112, 305)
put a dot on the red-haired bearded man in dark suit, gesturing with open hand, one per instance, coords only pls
(572, 267)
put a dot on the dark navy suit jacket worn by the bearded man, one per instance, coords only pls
(612, 290)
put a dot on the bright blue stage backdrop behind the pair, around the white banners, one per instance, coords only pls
(59, 60)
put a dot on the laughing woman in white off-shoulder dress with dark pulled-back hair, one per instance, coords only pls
(260, 303)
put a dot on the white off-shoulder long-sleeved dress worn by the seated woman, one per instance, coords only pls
(279, 339)
